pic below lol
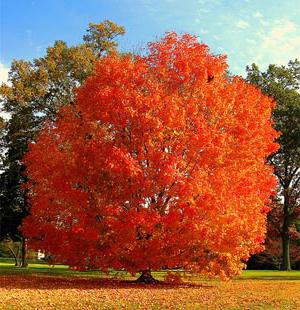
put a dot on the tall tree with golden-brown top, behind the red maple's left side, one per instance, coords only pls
(37, 90)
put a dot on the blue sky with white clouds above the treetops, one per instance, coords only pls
(247, 31)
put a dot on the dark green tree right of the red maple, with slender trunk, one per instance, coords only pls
(282, 83)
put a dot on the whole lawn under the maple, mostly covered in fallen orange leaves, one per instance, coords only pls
(44, 287)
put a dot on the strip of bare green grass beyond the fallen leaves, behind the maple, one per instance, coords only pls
(42, 268)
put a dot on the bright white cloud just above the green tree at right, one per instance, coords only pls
(266, 41)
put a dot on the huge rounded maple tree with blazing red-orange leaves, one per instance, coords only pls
(160, 162)
